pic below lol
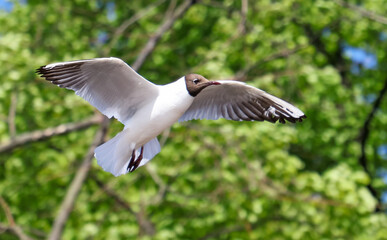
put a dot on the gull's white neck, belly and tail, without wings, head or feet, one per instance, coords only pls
(143, 128)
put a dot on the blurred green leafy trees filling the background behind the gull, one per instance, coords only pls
(324, 178)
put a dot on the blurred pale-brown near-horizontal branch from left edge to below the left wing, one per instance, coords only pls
(39, 135)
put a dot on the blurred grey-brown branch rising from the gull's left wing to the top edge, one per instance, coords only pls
(165, 26)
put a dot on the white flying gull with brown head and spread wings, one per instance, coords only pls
(147, 109)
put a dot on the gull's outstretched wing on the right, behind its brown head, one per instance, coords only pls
(238, 101)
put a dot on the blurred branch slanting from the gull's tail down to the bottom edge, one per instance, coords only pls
(75, 186)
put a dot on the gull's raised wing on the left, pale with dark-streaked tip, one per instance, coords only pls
(109, 84)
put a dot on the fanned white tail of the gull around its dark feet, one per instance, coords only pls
(114, 155)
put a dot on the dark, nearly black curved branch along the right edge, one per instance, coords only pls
(364, 134)
